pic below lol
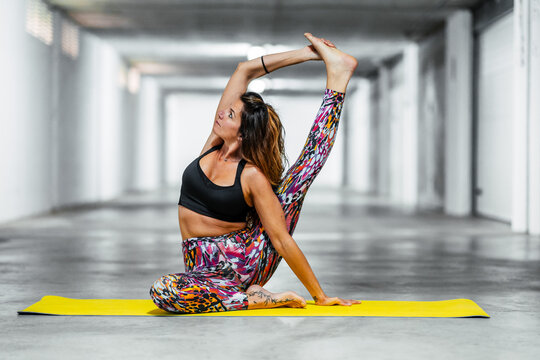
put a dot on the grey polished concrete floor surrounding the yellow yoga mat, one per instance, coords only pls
(359, 247)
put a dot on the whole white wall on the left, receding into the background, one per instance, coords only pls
(64, 138)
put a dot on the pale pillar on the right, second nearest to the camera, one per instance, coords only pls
(458, 114)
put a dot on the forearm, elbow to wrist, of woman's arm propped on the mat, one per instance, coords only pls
(298, 263)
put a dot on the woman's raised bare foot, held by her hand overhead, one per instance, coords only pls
(336, 60)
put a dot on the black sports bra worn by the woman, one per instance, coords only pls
(201, 195)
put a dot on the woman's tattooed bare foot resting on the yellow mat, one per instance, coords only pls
(260, 298)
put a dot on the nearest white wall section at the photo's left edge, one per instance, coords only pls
(25, 117)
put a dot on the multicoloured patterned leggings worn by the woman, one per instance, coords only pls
(219, 269)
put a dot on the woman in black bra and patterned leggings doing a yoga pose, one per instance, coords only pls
(234, 236)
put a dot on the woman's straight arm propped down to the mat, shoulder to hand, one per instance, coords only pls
(273, 220)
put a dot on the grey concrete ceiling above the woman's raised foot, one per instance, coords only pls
(208, 37)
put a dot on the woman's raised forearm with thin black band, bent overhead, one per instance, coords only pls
(254, 68)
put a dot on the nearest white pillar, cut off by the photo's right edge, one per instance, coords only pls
(526, 121)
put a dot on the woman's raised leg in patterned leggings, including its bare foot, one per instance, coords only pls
(260, 254)
